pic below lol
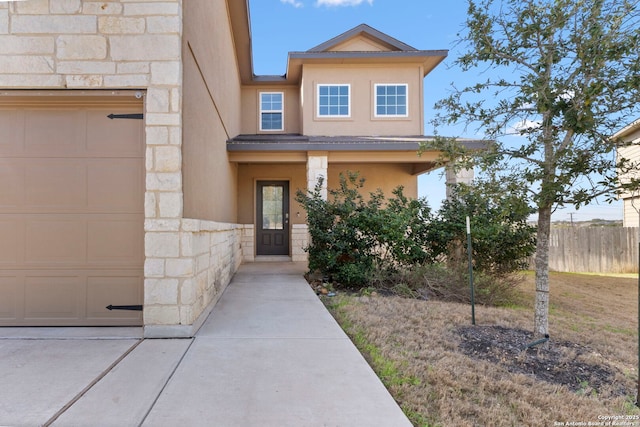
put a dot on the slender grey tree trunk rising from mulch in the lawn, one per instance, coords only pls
(541, 320)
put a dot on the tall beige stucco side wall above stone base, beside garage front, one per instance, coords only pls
(211, 112)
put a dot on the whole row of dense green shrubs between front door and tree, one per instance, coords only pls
(398, 246)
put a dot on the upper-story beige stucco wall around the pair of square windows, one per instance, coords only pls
(362, 79)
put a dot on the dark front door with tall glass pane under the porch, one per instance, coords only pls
(272, 218)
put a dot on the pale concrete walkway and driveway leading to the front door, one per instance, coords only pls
(269, 355)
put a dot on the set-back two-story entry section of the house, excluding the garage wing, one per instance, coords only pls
(352, 103)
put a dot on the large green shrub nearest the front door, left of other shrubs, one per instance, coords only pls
(351, 237)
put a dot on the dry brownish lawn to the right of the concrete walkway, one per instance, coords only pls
(418, 349)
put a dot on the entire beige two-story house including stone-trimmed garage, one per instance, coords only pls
(141, 160)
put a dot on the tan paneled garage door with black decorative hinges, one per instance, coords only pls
(71, 210)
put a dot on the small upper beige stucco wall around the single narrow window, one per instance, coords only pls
(251, 108)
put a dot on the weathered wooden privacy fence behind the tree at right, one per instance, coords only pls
(593, 250)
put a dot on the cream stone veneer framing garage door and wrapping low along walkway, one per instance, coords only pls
(131, 44)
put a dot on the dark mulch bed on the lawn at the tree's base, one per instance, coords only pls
(554, 362)
